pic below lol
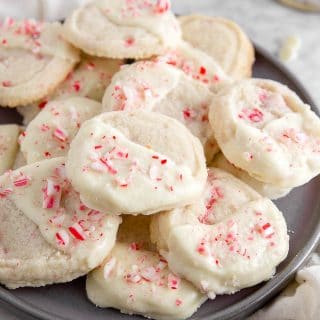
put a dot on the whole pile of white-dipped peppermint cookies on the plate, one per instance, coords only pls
(148, 157)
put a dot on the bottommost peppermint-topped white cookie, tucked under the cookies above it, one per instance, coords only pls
(134, 277)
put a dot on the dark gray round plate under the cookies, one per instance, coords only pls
(301, 209)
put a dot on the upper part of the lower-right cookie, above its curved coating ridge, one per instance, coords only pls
(222, 195)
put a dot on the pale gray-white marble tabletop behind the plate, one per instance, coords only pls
(275, 23)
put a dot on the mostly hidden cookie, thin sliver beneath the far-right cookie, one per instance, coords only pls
(265, 189)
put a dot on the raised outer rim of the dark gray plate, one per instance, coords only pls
(255, 300)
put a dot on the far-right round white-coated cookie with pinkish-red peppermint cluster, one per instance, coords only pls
(265, 129)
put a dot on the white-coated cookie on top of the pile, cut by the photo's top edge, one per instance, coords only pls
(123, 29)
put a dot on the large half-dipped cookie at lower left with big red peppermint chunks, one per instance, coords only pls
(47, 234)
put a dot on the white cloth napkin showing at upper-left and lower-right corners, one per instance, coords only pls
(300, 301)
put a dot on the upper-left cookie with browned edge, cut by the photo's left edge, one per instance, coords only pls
(34, 61)
